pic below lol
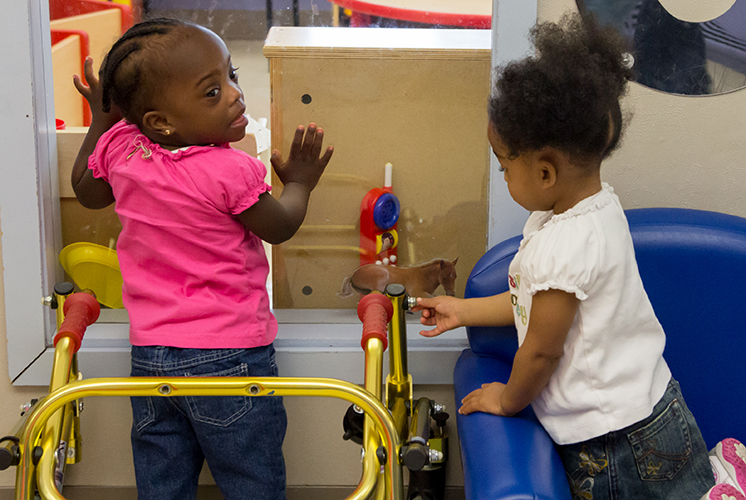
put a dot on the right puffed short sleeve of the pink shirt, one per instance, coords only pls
(230, 179)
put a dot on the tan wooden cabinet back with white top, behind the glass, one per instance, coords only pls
(426, 115)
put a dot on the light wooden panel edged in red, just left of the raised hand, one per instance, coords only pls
(66, 62)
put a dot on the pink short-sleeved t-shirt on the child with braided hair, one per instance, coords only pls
(193, 275)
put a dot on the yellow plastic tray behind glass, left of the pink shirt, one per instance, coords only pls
(94, 267)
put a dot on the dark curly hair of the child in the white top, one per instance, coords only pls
(567, 94)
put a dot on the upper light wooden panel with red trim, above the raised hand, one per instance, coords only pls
(103, 28)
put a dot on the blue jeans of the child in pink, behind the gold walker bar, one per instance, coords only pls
(239, 436)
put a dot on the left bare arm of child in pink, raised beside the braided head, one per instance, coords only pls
(90, 191)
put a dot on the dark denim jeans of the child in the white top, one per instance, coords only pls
(660, 457)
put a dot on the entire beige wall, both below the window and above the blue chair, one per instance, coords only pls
(677, 151)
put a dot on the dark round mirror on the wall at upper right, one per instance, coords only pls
(677, 56)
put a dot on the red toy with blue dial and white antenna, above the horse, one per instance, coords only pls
(379, 213)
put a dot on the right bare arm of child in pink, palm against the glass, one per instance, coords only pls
(277, 220)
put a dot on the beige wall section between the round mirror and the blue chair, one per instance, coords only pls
(677, 151)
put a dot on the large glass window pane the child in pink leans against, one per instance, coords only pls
(420, 106)
